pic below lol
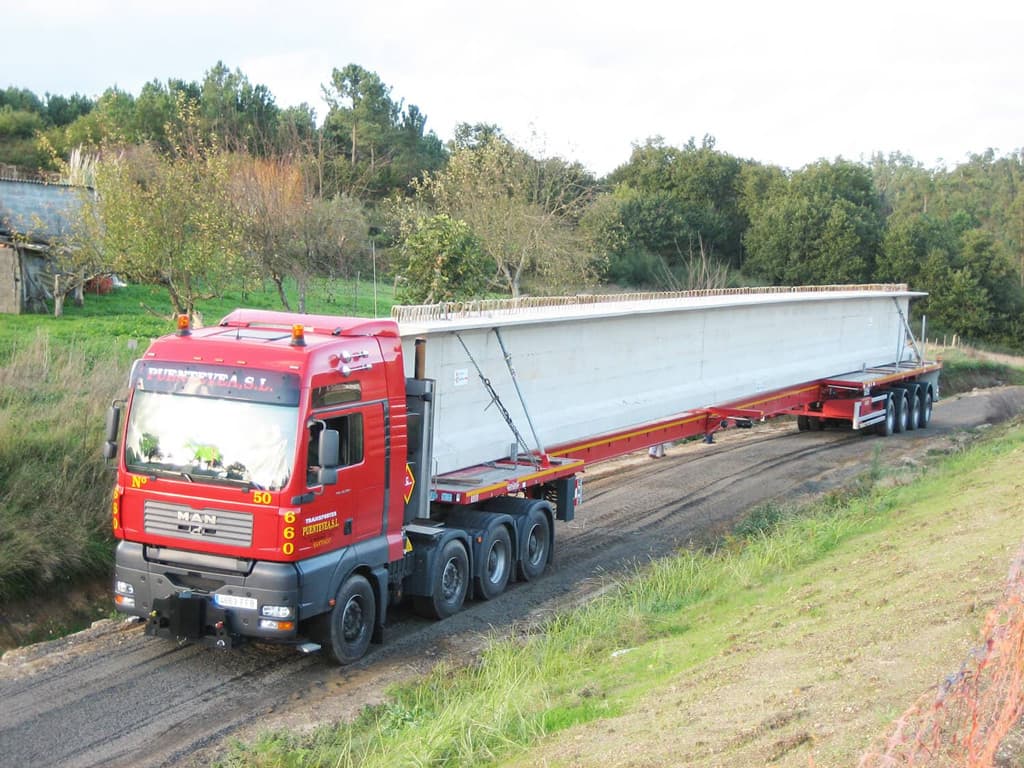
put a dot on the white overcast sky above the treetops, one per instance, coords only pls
(780, 82)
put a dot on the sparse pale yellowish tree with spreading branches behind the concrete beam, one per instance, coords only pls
(522, 210)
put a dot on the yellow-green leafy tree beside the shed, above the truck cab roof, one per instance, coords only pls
(169, 221)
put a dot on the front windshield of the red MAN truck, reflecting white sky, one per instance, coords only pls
(211, 440)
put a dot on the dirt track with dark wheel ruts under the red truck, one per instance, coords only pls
(113, 697)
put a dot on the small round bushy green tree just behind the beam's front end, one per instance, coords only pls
(444, 263)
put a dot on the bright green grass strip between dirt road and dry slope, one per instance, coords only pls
(602, 660)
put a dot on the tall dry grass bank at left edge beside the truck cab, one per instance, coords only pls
(55, 488)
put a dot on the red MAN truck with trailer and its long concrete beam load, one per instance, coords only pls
(289, 478)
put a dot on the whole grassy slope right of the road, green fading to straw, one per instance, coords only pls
(805, 642)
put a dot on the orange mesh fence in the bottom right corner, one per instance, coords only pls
(966, 721)
